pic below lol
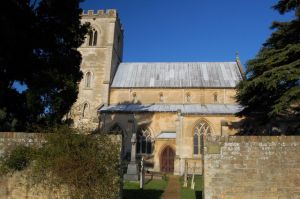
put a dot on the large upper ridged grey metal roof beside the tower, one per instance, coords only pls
(177, 75)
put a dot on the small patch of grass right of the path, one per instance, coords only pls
(188, 193)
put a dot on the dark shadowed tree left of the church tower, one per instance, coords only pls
(38, 50)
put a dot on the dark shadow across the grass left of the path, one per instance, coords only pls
(142, 194)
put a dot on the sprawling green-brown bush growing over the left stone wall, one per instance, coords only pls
(85, 165)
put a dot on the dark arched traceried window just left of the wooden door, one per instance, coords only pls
(144, 143)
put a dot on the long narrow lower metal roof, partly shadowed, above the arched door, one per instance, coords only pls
(206, 109)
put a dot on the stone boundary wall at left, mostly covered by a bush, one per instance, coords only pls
(15, 186)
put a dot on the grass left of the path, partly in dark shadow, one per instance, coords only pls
(152, 190)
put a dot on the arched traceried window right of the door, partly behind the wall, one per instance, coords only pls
(200, 131)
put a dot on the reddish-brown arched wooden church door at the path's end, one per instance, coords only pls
(167, 160)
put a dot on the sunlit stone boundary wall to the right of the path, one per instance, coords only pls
(252, 167)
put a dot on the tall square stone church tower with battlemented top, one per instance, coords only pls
(101, 54)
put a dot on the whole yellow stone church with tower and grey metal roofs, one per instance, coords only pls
(162, 110)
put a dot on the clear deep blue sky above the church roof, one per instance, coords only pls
(192, 30)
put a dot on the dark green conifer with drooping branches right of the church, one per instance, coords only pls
(271, 92)
